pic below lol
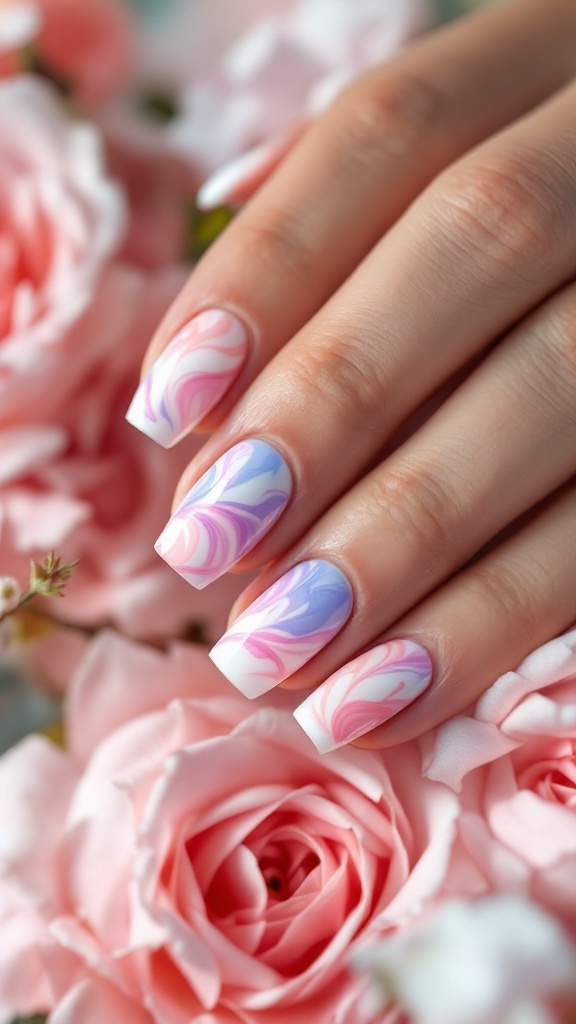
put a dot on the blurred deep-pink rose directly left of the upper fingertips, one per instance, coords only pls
(88, 485)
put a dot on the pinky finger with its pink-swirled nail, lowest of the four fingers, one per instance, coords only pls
(449, 650)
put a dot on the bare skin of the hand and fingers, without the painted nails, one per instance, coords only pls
(421, 236)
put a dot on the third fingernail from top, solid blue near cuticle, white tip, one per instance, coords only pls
(284, 628)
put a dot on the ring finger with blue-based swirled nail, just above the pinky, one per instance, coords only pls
(485, 458)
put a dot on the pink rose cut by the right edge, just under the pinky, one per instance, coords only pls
(514, 759)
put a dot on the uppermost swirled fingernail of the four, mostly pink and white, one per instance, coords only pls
(190, 378)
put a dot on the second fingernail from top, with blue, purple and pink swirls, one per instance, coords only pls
(226, 515)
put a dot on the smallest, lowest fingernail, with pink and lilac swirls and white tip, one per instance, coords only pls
(365, 694)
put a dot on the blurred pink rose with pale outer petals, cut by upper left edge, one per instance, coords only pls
(62, 220)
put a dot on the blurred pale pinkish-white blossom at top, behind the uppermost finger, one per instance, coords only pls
(284, 63)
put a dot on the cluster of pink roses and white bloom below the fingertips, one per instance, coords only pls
(191, 858)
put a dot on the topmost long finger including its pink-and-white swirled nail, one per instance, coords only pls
(335, 196)
